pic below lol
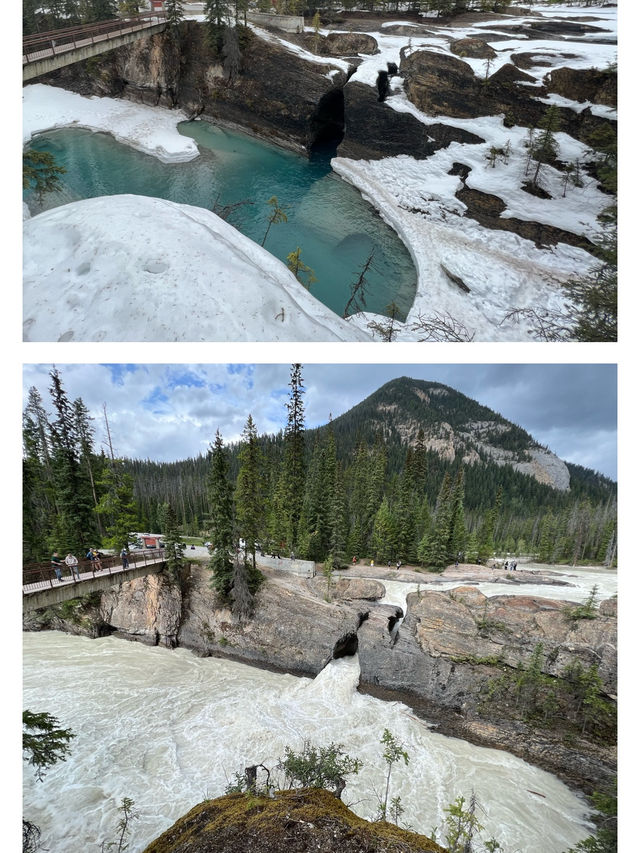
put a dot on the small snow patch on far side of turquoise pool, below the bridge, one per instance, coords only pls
(152, 130)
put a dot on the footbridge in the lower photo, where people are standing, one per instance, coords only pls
(41, 588)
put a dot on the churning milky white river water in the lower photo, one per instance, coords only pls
(168, 729)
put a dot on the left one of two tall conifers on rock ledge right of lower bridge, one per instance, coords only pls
(221, 513)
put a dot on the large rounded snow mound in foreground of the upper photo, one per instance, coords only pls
(130, 268)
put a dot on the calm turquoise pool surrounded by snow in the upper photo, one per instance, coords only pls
(326, 217)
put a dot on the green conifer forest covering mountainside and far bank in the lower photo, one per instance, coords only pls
(352, 487)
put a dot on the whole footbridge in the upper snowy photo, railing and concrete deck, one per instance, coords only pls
(45, 52)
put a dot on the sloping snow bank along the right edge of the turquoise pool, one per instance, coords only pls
(502, 270)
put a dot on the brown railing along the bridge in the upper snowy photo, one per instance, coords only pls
(40, 45)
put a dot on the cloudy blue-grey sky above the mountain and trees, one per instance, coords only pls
(166, 412)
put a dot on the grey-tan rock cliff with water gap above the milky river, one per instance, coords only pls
(450, 646)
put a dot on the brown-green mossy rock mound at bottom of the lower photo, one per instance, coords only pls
(292, 822)
